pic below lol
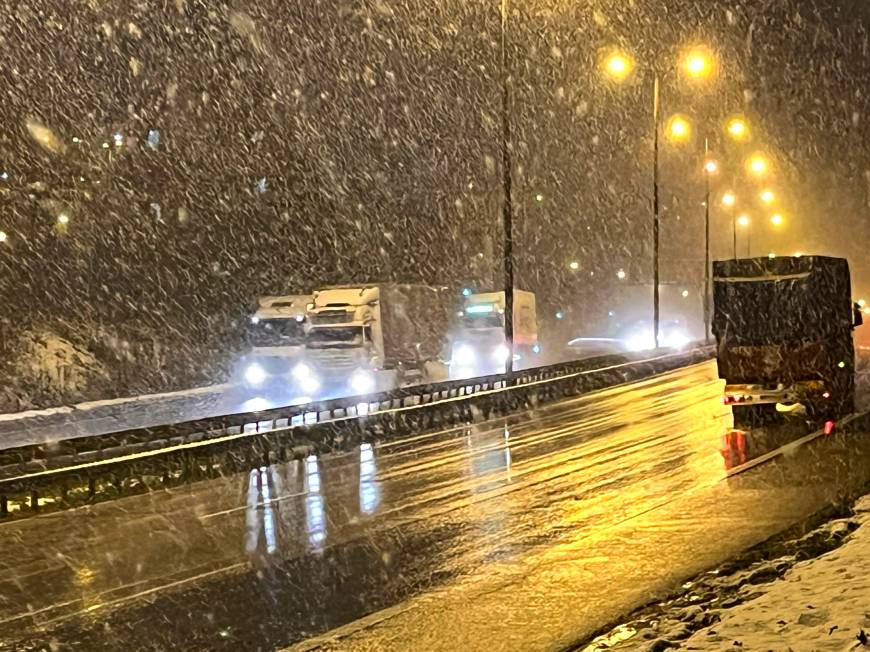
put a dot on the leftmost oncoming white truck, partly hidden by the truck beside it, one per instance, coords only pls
(276, 336)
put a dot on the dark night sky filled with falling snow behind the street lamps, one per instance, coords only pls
(375, 125)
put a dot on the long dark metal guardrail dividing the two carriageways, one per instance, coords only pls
(38, 475)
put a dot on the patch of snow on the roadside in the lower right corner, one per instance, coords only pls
(819, 604)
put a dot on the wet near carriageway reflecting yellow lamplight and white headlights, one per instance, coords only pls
(519, 534)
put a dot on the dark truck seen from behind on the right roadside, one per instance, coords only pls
(783, 327)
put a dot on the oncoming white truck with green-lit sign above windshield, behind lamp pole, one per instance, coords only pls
(478, 346)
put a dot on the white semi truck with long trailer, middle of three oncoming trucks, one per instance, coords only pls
(369, 338)
